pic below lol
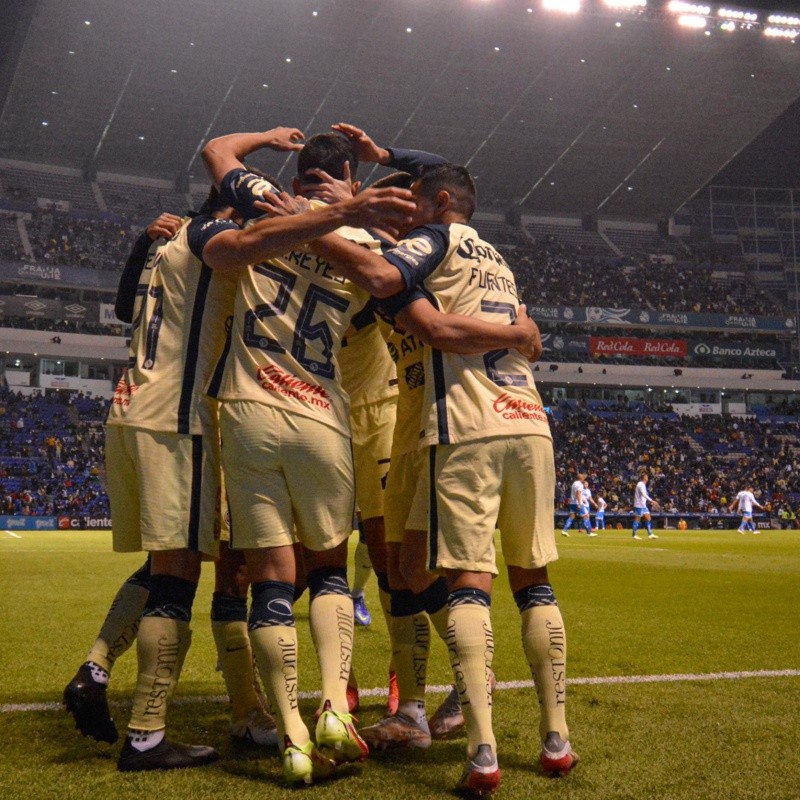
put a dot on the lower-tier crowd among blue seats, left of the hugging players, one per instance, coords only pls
(51, 455)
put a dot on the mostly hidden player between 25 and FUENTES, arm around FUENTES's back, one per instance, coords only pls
(419, 598)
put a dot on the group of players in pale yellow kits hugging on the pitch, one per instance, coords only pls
(286, 351)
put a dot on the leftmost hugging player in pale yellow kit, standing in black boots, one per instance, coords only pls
(157, 418)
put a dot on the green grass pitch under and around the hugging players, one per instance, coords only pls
(688, 604)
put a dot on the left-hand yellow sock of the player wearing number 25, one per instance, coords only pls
(275, 648)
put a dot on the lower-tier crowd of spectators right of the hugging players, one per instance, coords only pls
(697, 464)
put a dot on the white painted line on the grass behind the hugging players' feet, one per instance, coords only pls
(381, 691)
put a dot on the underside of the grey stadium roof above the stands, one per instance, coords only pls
(561, 114)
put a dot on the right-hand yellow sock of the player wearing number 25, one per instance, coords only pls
(331, 619)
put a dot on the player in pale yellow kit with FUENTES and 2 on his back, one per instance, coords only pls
(490, 463)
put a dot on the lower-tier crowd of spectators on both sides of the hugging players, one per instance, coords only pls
(51, 448)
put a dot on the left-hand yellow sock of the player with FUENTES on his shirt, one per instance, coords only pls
(471, 649)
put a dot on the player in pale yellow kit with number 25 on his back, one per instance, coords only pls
(286, 448)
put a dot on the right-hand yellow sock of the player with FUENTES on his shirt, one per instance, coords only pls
(545, 643)
